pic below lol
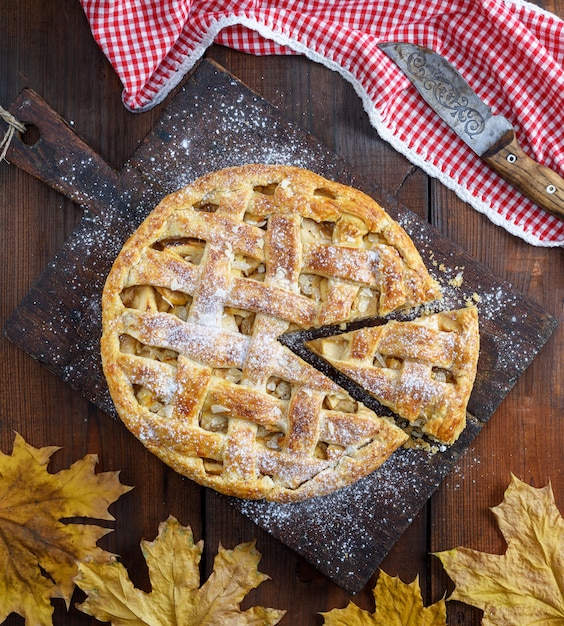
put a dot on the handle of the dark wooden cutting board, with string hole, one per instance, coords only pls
(52, 152)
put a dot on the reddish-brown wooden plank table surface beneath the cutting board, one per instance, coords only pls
(48, 47)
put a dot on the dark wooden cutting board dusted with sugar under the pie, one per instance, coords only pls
(214, 121)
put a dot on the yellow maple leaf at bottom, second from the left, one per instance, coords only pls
(175, 598)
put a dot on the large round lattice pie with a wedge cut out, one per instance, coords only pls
(194, 304)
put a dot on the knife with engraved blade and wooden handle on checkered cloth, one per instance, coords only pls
(491, 137)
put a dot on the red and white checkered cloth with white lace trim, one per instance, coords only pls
(511, 52)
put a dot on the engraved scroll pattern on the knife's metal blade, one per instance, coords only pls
(446, 94)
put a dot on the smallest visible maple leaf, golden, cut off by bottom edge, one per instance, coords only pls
(397, 604)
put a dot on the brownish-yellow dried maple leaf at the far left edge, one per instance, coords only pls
(38, 552)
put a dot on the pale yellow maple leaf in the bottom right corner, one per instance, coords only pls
(524, 586)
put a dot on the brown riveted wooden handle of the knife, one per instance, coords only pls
(537, 182)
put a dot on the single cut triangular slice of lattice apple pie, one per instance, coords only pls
(423, 370)
